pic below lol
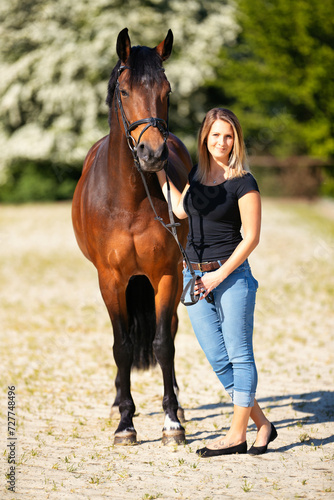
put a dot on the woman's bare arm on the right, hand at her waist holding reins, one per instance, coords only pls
(250, 212)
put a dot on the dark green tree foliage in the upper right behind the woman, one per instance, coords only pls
(278, 76)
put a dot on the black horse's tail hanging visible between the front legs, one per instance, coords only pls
(142, 321)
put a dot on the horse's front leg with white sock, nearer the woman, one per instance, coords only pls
(163, 344)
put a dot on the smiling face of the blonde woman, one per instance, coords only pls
(220, 141)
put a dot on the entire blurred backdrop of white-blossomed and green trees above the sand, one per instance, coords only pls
(270, 61)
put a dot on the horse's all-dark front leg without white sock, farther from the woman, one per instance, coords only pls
(114, 297)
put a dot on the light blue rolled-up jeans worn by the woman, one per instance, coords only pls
(224, 330)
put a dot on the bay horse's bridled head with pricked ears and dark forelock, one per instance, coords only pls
(139, 90)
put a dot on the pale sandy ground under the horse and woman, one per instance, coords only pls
(56, 349)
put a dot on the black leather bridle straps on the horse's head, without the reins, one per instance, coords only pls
(154, 122)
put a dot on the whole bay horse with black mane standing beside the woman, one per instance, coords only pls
(138, 262)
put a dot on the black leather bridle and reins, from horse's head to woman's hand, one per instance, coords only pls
(162, 126)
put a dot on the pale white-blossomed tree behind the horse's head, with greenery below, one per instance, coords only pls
(55, 59)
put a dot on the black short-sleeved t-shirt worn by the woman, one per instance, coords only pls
(214, 217)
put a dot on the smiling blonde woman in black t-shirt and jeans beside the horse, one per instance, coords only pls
(219, 197)
